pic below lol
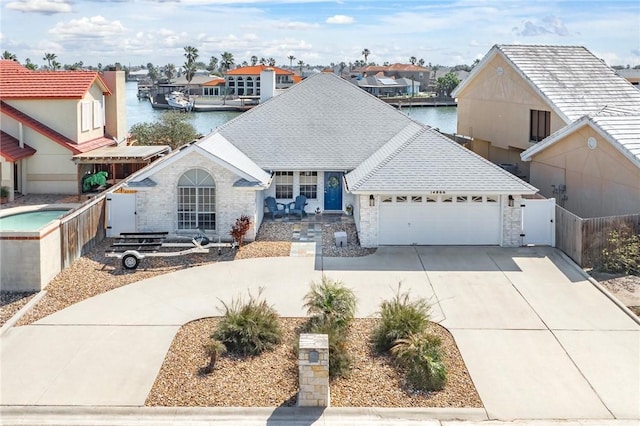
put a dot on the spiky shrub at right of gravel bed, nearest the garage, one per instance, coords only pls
(400, 317)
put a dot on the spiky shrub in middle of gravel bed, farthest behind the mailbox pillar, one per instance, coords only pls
(330, 302)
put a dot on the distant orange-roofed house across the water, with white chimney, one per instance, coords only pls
(245, 81)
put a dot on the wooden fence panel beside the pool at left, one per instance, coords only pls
(81, 230)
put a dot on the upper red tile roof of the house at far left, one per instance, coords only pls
(18, 82)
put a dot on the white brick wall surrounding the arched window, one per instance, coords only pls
(157, 206)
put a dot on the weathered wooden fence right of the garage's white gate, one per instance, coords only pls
(584, 239)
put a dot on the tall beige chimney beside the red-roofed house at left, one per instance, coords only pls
(115, 107)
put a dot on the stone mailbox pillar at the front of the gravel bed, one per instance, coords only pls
(313, 370)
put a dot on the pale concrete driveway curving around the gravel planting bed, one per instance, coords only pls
(539, 339)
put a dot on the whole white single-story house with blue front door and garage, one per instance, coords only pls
(339, 146)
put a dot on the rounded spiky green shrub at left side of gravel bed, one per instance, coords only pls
(248, 328)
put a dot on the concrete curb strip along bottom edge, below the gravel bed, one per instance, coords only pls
(233, 415)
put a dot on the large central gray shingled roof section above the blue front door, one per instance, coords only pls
(321, 123)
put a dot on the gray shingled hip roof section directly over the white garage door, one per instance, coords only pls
(421, 159)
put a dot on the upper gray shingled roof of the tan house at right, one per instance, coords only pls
(575, 81)
